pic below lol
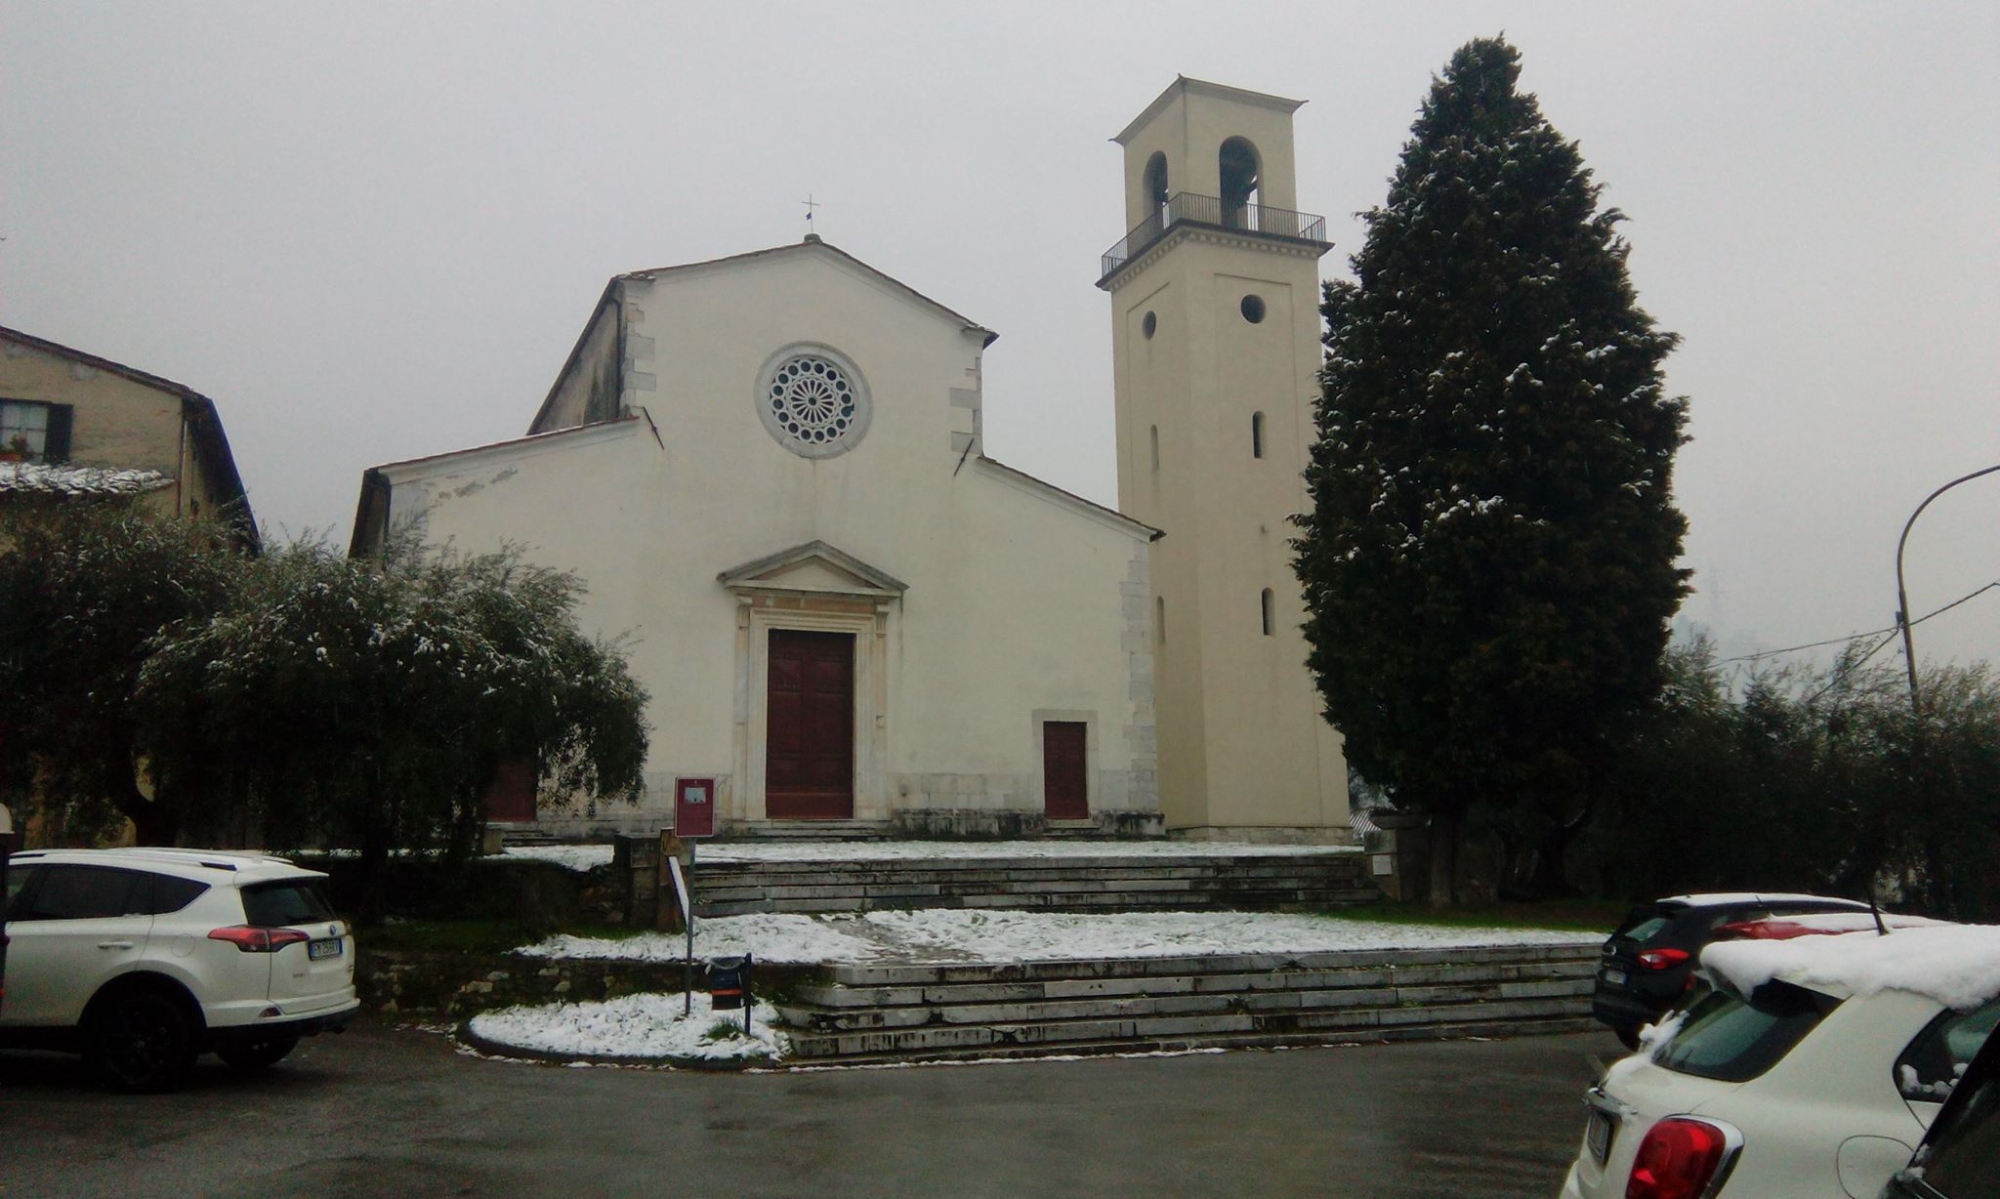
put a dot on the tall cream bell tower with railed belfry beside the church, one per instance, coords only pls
(1217, 355)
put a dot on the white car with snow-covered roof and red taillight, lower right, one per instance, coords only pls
(1811, 1070)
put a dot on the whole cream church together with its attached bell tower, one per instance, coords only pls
(769, 471)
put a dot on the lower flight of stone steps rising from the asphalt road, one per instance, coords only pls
(1151, 1004)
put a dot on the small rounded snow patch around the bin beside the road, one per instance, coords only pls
(637, 1026)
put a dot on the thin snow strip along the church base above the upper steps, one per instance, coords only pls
(589, 856)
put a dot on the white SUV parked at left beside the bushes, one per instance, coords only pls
(147, 958)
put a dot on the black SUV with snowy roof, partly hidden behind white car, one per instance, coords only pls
(1649, 962)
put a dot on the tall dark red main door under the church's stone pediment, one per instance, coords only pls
(809, 738)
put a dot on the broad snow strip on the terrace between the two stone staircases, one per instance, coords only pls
(961, 934)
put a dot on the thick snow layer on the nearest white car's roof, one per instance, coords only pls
(1959, 966)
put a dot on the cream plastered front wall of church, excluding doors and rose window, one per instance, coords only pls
(1019, 600)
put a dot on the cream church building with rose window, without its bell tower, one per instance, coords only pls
(769, 475)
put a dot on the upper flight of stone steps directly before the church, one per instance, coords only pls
(1047, 884)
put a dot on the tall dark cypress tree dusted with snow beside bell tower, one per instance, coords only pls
(1491, 555)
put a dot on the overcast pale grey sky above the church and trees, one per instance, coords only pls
(373, 233)
